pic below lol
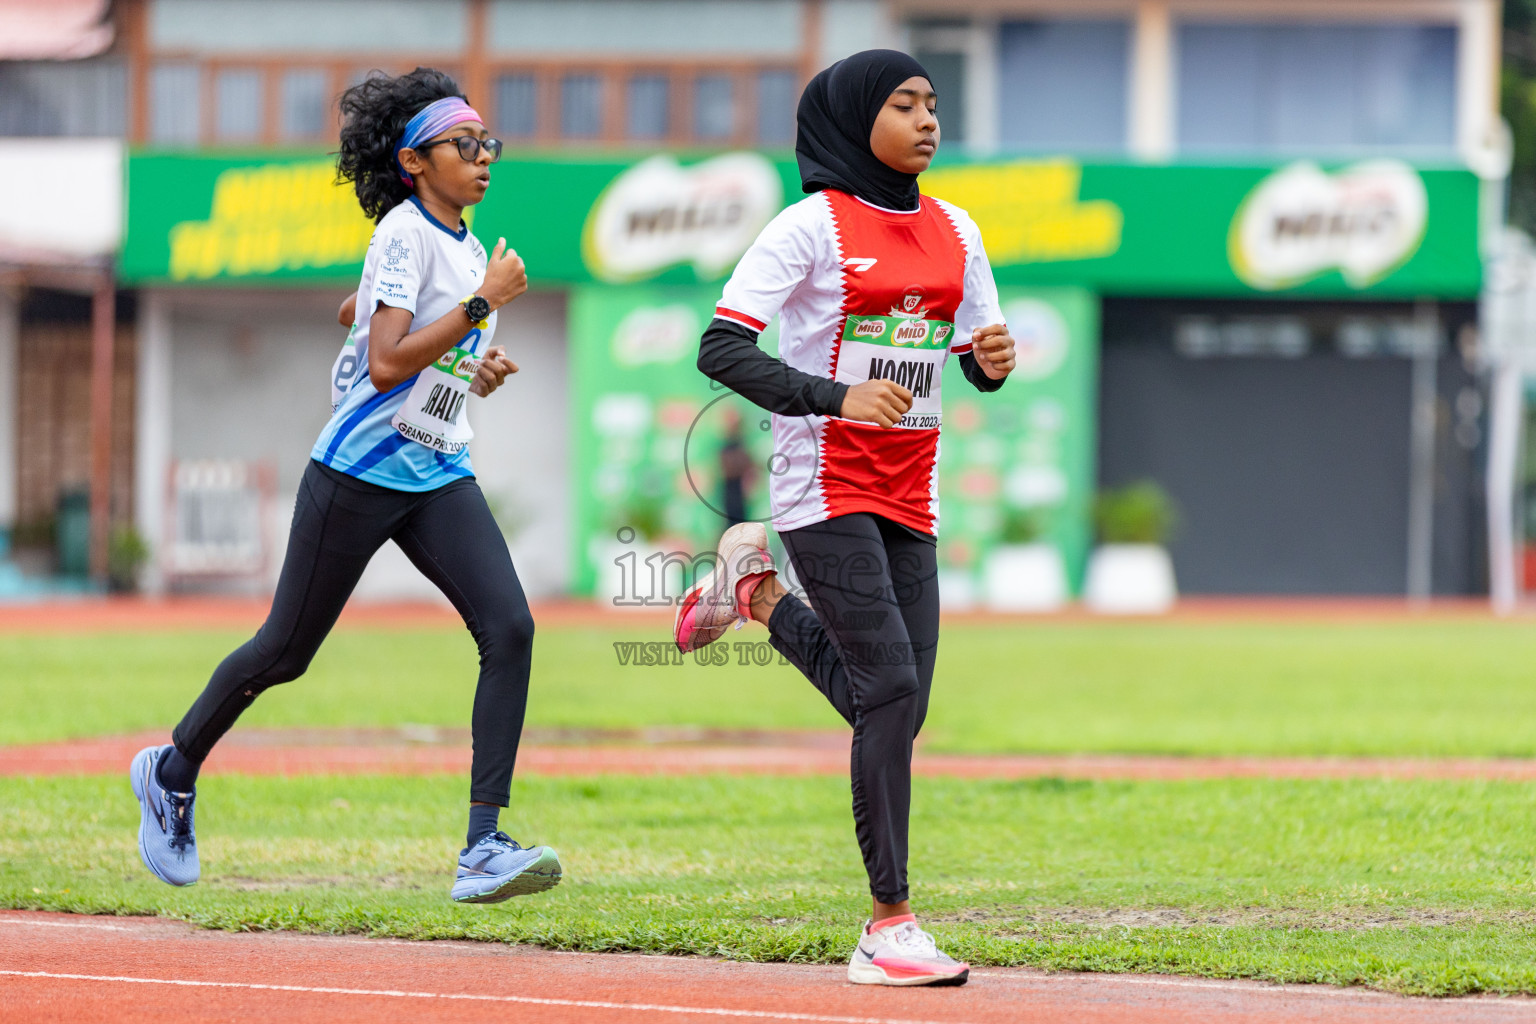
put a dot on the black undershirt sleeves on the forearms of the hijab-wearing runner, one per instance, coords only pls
(729, 354)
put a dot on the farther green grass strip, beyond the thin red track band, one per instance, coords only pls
(1412, 689)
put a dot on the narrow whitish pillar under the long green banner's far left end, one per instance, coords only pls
(153, 434)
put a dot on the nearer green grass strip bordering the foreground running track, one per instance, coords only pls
(1408, 887)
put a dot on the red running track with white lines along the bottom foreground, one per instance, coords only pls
(71, 969)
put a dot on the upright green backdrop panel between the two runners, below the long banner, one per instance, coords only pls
(650, 435)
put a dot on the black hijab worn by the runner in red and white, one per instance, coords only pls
(833, 125)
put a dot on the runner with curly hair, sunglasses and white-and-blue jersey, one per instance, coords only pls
(394, 464)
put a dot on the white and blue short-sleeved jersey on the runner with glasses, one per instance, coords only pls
(419, 265)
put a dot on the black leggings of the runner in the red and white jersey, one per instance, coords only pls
(870, 649)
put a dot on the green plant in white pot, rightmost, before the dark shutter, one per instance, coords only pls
(1131, 572)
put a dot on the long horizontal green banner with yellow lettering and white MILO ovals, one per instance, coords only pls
(1374, 228)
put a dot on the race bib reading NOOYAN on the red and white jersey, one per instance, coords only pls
(910, 352)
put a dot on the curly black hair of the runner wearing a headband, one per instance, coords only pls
(374, 114)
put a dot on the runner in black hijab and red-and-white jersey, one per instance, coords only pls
(875, 286)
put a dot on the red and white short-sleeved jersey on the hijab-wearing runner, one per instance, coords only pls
(864, 294)
